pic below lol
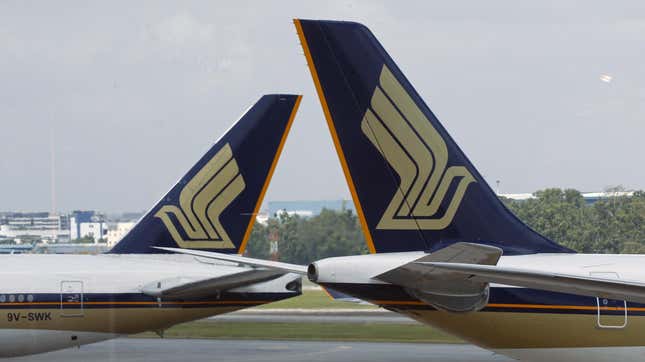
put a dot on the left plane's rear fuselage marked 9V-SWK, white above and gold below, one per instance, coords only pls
(55, 301)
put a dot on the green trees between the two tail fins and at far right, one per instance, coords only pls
(610, 225)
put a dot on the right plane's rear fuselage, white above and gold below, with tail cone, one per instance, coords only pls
(526, 324)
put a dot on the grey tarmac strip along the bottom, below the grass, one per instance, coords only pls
(171, 350)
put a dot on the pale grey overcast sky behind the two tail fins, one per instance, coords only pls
(538, 94)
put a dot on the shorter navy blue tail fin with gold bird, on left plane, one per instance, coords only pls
(213, 206)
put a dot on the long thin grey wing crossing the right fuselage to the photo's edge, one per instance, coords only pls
(556, 282)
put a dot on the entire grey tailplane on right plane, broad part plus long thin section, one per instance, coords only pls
(457, 276)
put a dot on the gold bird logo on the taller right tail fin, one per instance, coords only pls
(403, 135)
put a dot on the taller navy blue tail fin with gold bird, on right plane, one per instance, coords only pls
(413, 187)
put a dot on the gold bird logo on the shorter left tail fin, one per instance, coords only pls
(202, 201)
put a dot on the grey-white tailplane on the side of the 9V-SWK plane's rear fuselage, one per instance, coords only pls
(182, 287)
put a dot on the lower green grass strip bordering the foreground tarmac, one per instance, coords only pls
(368, 332)
